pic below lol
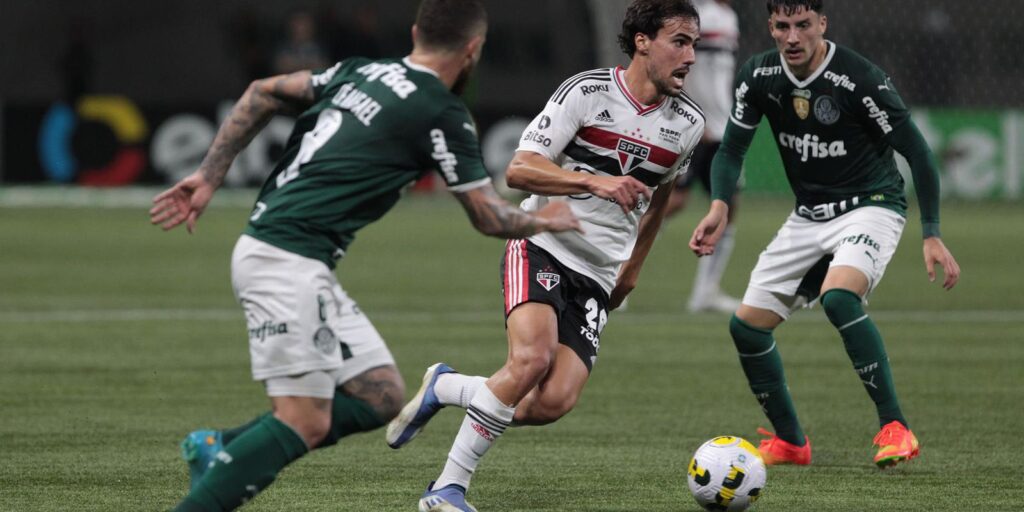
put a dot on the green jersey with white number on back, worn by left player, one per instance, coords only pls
(375, 127)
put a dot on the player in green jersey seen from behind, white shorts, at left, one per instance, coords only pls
(366, 131)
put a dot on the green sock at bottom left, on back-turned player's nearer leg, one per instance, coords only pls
(246, 466)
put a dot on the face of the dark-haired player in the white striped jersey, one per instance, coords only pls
(671, 55)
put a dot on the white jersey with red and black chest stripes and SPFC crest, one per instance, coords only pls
(593, 124)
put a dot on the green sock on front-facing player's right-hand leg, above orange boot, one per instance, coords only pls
(864, 345)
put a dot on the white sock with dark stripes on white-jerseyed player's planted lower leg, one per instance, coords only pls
(487, 418)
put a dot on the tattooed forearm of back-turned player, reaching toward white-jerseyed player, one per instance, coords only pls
(494, 217)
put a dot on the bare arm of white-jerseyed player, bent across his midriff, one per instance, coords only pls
(535, 174)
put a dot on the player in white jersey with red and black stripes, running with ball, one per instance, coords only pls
(609, 144)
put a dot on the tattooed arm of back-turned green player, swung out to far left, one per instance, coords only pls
(264, 99)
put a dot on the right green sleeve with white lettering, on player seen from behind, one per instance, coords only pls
(455, 151)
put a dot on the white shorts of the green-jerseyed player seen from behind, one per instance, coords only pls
(301, 322)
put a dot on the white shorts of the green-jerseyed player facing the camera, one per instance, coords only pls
(865, 239)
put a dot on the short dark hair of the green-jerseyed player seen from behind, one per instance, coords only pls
(448, 25)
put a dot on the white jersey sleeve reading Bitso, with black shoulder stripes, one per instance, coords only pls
(556, 127)
